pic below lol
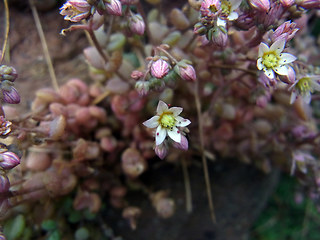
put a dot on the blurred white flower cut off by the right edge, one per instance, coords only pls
(304, 87)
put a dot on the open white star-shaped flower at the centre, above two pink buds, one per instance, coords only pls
(167, 121)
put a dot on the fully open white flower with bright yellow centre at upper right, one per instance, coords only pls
(273, 60)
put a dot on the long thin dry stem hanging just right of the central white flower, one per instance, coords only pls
(204, 160)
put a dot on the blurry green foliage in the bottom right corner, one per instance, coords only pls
(285, 219)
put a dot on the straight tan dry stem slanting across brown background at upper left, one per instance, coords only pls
(44, 46)
